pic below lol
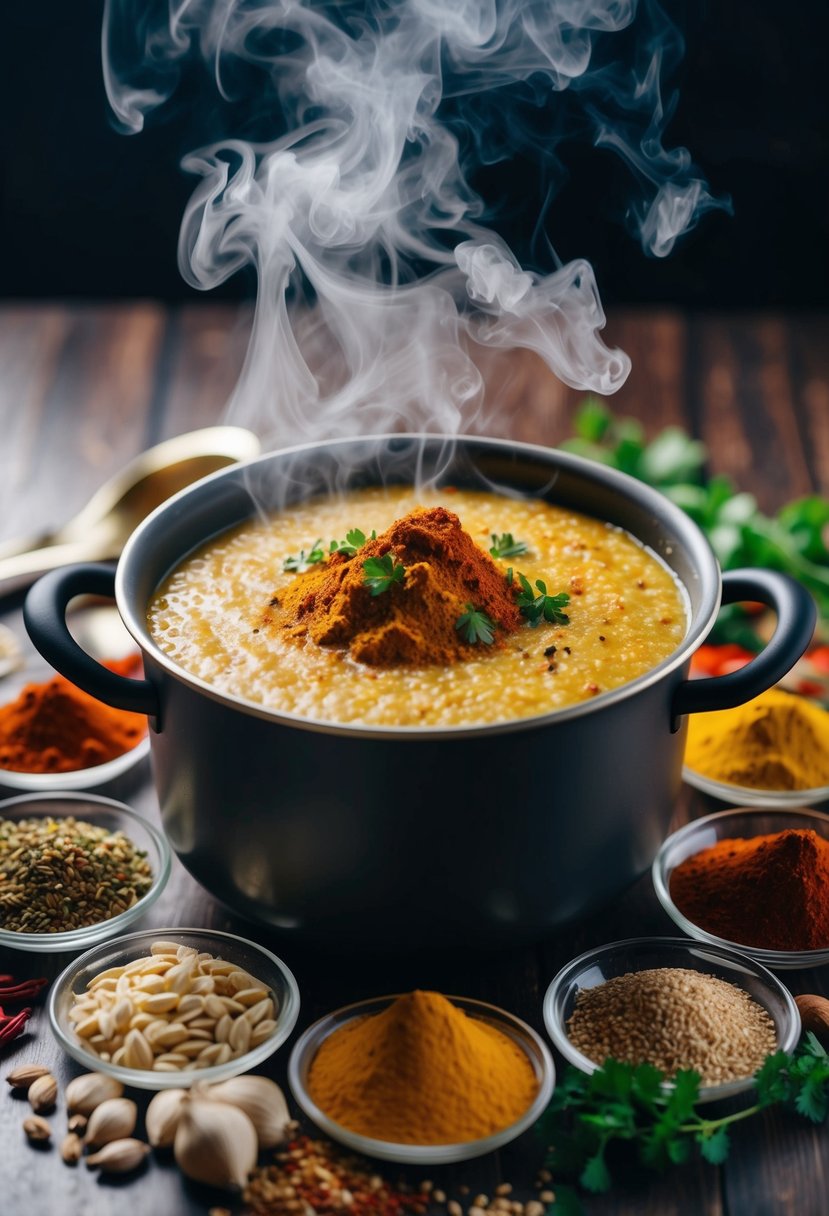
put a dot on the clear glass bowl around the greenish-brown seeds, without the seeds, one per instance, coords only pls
(115, 818)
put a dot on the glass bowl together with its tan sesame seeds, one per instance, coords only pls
(673, 1004)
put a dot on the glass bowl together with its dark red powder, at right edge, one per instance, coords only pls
(754, 880)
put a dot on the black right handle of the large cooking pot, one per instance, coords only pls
(797, 617)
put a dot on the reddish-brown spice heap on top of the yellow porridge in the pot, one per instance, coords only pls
(414, 623)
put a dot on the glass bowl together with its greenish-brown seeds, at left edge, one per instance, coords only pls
(76, 870)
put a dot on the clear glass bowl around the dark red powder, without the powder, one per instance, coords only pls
(725, 825)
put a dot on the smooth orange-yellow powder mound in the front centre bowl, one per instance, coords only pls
(422, 1072)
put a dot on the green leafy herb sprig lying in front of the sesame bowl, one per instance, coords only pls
(628, 1104)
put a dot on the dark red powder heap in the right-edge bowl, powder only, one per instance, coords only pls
(770, 892)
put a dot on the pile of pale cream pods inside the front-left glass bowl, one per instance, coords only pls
(173, 1010)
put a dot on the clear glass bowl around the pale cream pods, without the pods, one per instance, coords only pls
(261, 964)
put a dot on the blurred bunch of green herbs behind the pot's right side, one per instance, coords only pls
(794, 541)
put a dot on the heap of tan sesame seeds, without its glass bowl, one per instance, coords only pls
(674, 1018)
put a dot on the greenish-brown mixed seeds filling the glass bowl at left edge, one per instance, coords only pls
(61, 875)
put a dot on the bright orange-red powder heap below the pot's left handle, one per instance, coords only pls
(58, 728)
